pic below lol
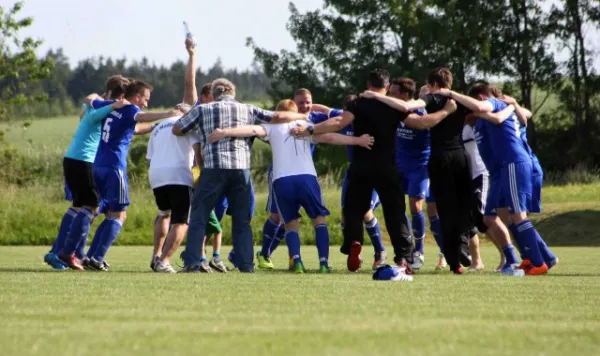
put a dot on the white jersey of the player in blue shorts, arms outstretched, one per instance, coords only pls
(291, 156)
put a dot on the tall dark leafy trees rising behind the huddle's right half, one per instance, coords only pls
(517, 41)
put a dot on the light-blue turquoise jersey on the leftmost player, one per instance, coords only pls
(84, 144)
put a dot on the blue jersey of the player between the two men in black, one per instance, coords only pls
(413, 147)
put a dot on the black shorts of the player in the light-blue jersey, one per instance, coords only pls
(79, 176)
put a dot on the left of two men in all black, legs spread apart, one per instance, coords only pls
(372, 169)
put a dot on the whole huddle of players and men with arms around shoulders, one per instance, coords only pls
(464, 159)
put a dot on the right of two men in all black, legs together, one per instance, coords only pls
(449, 166)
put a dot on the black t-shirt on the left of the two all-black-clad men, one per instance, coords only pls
(379, 120)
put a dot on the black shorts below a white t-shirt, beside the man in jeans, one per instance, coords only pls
(175, 199)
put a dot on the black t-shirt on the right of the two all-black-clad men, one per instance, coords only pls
(447, 135)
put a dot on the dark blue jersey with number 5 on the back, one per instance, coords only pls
(117, 132)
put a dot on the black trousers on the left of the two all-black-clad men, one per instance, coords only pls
(385, 179)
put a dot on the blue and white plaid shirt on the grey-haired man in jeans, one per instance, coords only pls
(229, 153)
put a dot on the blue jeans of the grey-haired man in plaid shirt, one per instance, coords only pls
(213, 184)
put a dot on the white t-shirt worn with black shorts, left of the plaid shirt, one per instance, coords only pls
(171, 157)
